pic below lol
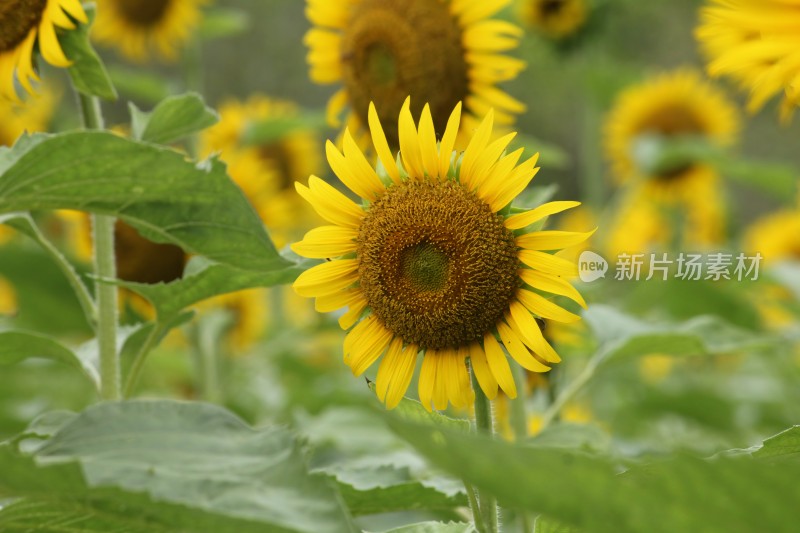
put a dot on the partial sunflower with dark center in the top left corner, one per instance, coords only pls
(24, 24)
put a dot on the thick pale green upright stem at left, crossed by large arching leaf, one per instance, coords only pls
(105, 269)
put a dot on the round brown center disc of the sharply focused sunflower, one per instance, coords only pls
(436, 265)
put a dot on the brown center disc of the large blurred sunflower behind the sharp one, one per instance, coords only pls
(392, 49)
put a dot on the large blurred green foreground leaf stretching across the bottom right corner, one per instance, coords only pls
(728, 494)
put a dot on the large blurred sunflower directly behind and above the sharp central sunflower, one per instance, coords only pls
(440, 52)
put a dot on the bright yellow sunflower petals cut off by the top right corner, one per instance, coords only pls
(756, 43)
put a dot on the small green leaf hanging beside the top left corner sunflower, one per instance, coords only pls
(88, 74)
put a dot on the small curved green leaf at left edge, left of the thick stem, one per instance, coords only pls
(16, 346)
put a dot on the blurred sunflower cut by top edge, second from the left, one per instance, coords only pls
(139, 27)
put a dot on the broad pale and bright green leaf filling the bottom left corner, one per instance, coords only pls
(168, 466)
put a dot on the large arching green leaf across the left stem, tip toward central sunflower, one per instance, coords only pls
(156, 190)
